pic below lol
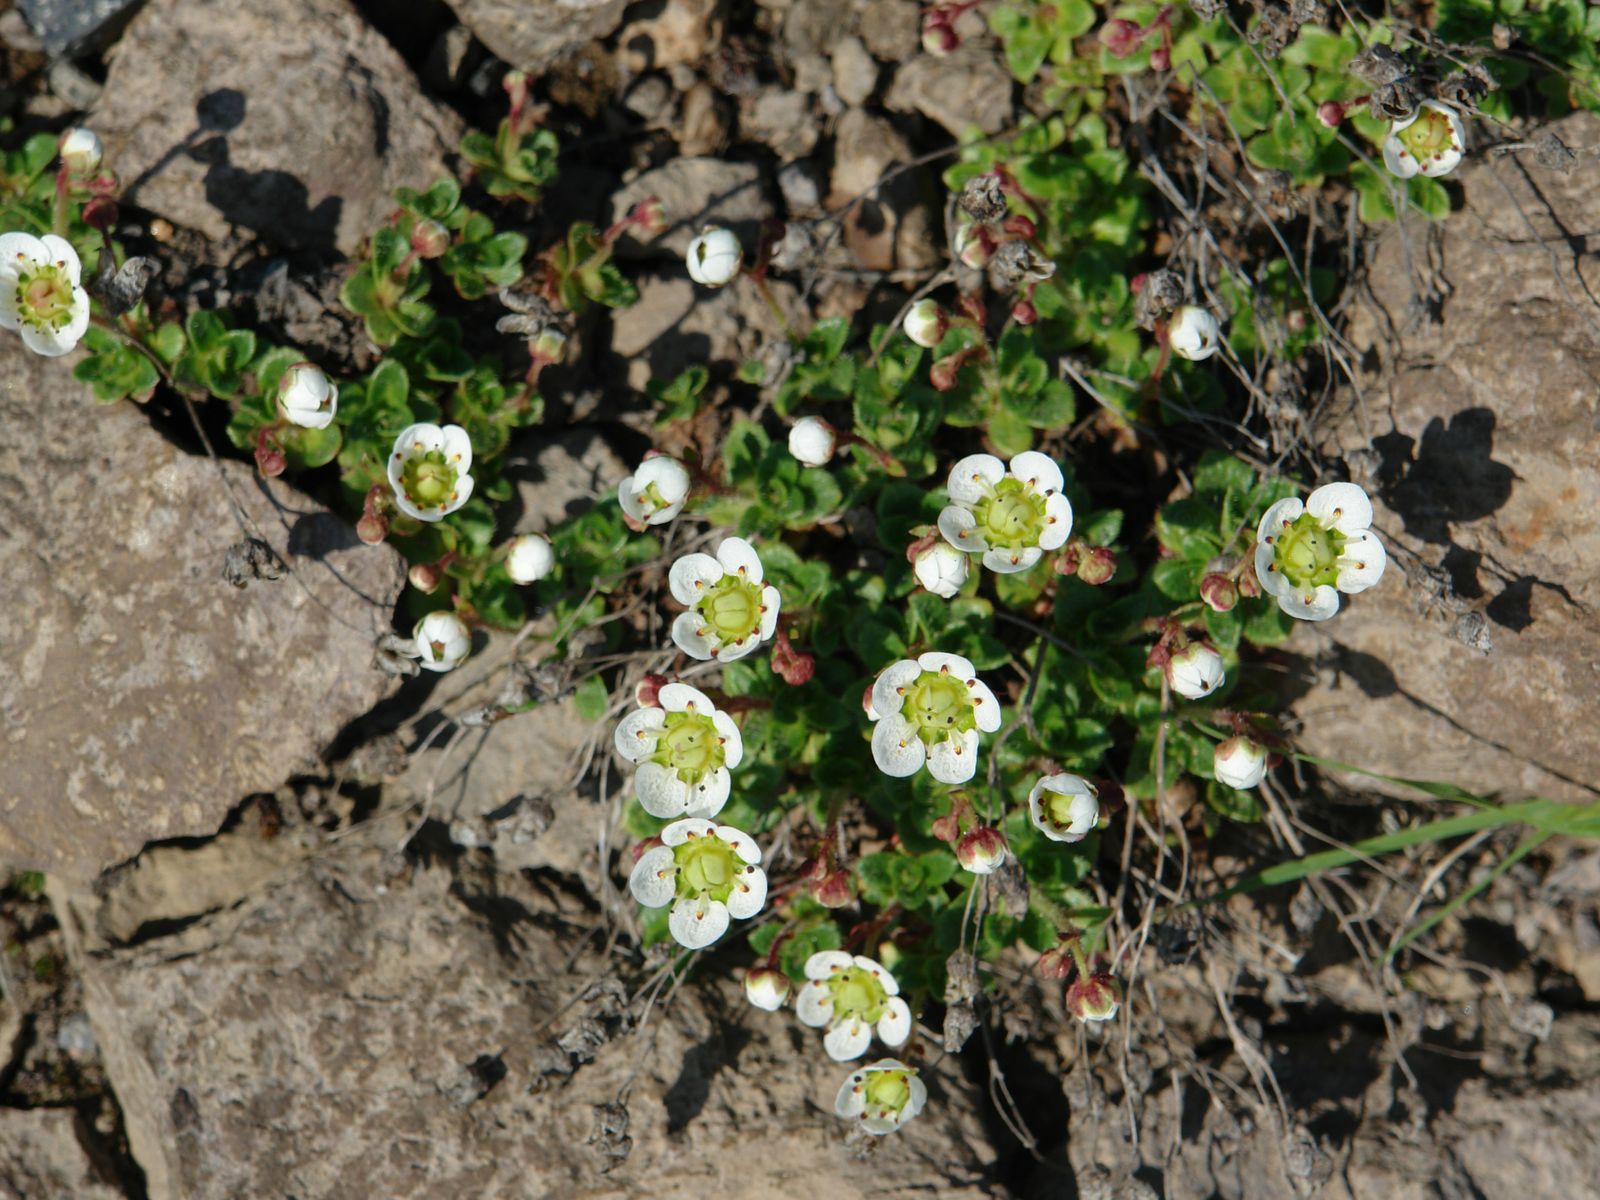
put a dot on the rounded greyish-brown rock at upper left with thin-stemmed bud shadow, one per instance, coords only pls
(292, 119)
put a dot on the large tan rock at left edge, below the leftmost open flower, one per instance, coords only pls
(142, 697)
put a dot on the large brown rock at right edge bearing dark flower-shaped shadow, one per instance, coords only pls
(1481, 444)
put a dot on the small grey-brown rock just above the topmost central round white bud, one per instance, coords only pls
(697, 193)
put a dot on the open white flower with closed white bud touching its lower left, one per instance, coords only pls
(1010, 518)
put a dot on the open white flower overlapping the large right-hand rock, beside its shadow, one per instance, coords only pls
(1306, 554)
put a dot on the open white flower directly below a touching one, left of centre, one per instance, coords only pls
(706, 873)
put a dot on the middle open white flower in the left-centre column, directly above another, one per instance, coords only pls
(684, 750)
